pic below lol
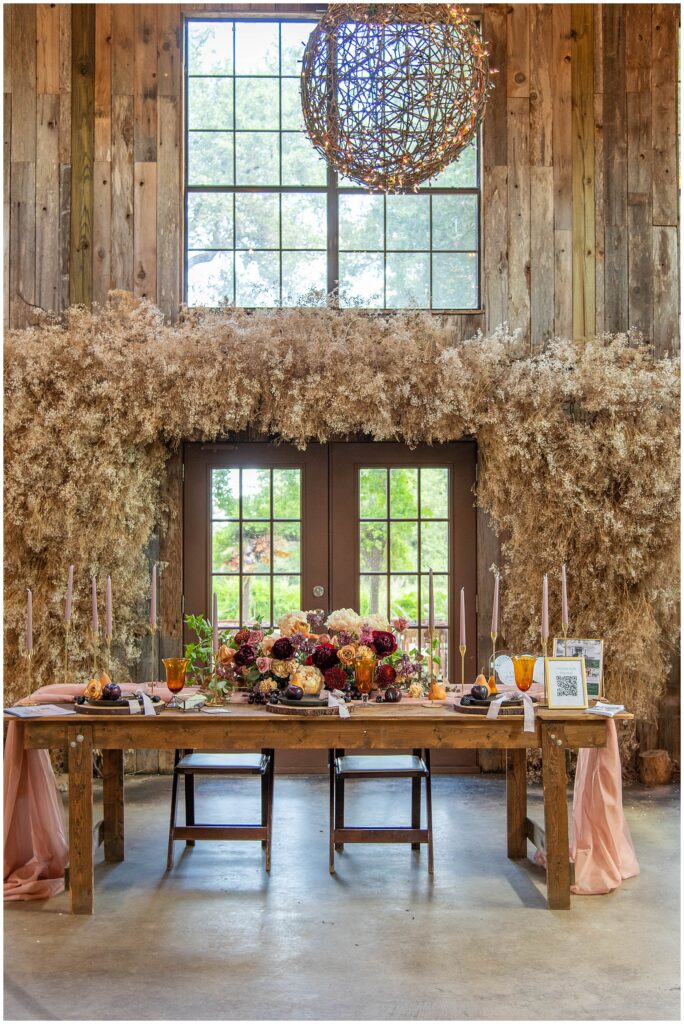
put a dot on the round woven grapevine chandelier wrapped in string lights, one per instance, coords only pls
(392, 94)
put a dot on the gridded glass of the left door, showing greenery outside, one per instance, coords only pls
(256, 543)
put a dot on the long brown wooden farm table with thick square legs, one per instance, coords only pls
(371, 727)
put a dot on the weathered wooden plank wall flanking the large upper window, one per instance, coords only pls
(580, 222)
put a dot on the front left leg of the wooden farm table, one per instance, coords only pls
(80, 819)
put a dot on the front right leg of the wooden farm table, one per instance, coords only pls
(555, 819)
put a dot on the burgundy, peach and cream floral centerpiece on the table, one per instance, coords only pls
(307, 655)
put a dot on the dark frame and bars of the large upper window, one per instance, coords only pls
(332, 191)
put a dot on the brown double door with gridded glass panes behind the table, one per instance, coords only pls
(271, 530)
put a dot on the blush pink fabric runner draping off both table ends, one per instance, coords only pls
(37, 854)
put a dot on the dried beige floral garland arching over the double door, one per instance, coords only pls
(580, 448)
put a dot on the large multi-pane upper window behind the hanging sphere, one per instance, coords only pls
(268, 224)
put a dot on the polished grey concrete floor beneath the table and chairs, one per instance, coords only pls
(218, 940)
